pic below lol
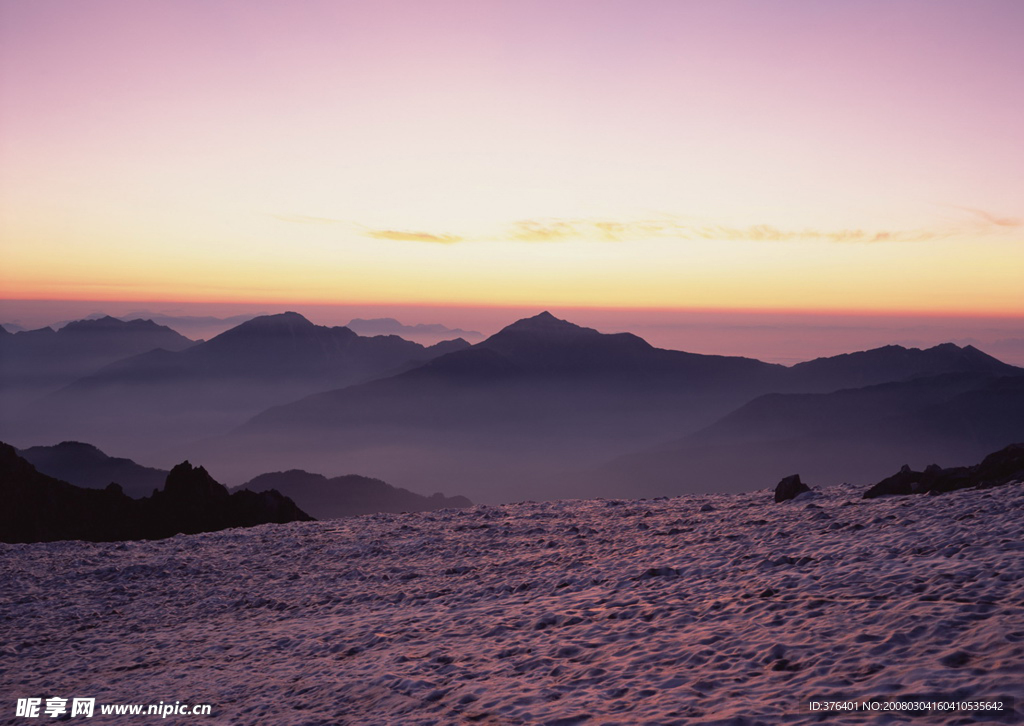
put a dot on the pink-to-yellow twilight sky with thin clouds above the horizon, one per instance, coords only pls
(802, 157)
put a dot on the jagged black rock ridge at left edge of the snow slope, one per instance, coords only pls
(40, 508)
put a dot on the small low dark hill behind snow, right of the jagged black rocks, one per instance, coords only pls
(349, 496)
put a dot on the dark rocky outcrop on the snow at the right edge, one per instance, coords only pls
(1000, 468)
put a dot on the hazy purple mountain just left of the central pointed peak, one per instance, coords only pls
(161, 398)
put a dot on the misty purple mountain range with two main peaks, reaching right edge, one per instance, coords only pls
(542, 409)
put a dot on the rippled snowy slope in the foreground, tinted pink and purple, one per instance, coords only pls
(698, 610)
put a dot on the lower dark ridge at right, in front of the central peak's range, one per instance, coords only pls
(854, 435)
